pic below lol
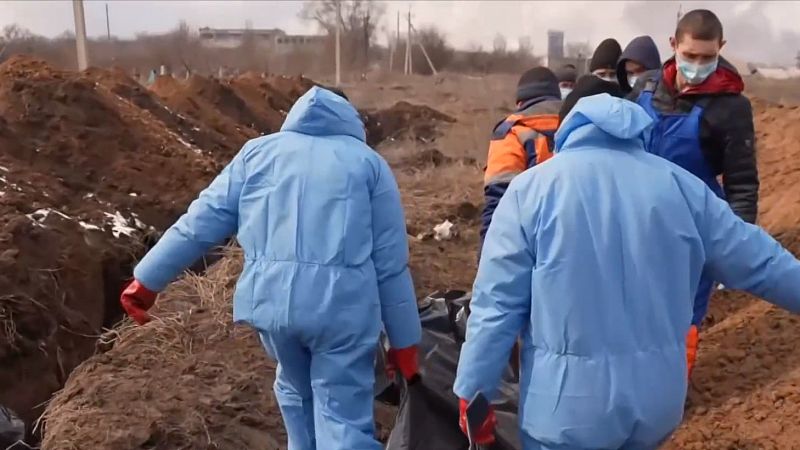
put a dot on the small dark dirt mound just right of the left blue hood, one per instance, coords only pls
(404, 120)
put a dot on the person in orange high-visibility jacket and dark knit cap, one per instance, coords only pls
(523, 139)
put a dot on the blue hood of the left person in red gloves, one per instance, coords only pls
(320, 112)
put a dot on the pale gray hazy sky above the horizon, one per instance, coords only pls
(764, 31)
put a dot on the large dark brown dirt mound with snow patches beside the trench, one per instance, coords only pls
(84, 174)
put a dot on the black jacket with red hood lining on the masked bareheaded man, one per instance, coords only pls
(727, 134)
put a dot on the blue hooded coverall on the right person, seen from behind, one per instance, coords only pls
(594, 258)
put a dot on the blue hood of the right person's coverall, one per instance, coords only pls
(599, 119)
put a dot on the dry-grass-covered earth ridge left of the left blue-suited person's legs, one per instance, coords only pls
(188, 380)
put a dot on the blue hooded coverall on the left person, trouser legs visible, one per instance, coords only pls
(318, 215)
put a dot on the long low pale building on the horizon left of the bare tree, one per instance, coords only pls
(272, 40)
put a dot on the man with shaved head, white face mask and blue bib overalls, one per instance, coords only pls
(704, 124)
